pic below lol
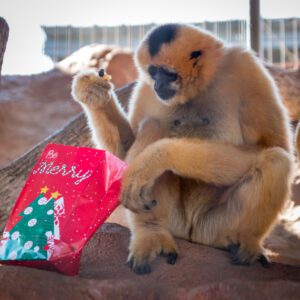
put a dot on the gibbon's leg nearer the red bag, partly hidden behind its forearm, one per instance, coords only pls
(149, 235)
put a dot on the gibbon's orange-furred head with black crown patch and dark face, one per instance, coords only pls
(178, 61)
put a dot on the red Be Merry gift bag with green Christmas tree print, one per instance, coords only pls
(68, 195)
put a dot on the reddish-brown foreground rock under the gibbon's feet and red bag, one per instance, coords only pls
(200, 273)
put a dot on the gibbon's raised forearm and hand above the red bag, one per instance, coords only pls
(106, 118)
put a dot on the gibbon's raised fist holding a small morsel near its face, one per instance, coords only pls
(91, 89)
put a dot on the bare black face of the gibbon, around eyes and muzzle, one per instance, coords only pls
(163, 81)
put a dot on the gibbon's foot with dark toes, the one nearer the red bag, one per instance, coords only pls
(144, 249)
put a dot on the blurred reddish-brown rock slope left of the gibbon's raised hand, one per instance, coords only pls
(32, 108)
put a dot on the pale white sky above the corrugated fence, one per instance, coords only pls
(26, 16)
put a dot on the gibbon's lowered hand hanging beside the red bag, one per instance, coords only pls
(136, 189)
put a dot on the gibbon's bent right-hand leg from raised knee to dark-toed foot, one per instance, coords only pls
(248, 209)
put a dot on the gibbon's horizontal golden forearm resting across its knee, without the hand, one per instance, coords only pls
(210, 161)
